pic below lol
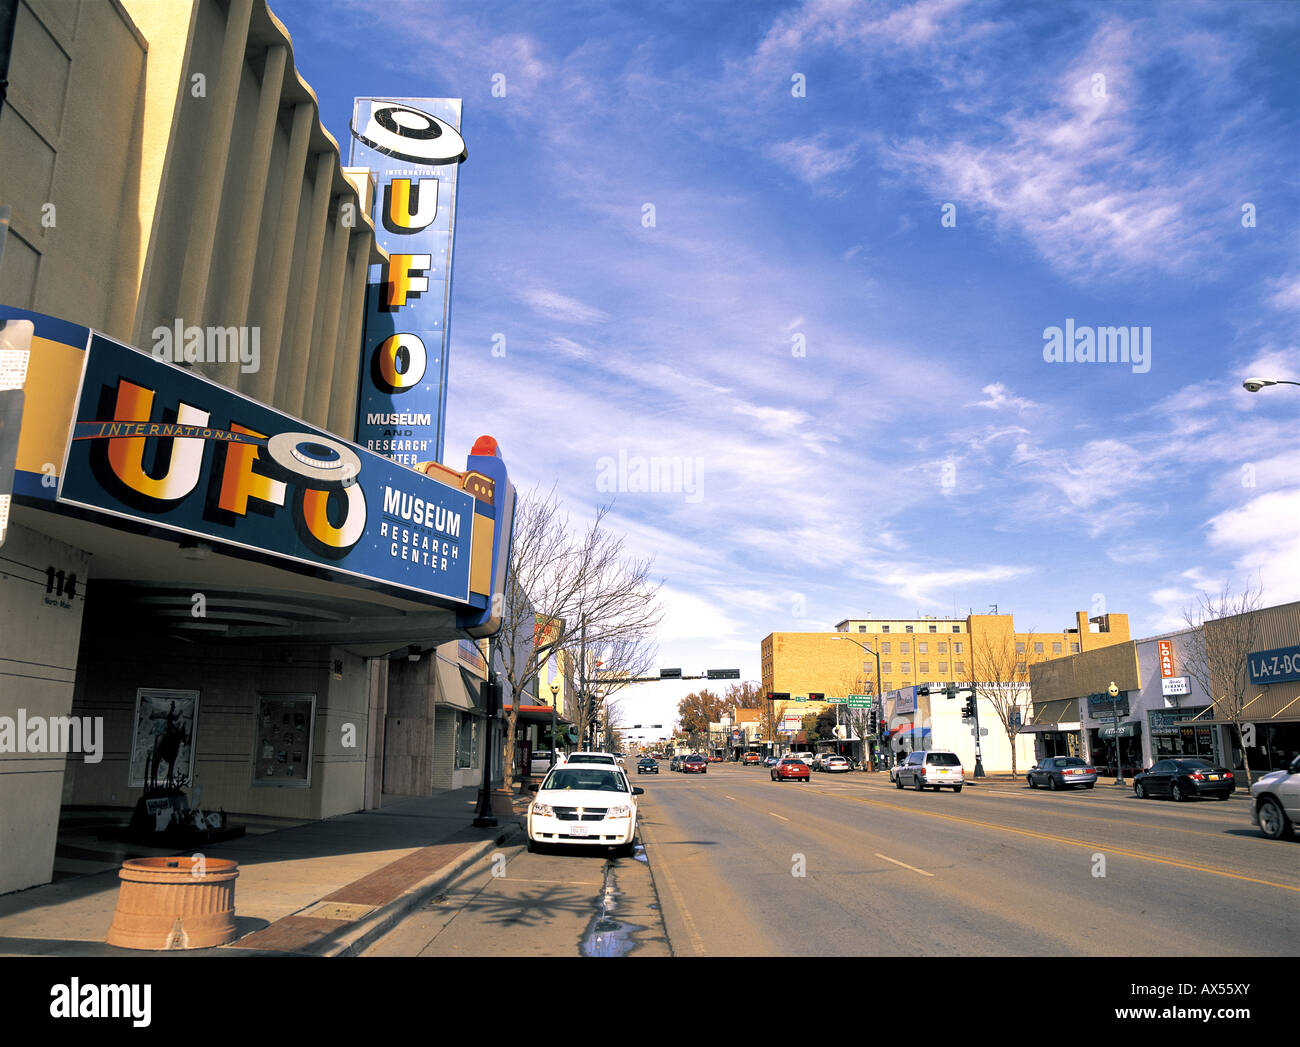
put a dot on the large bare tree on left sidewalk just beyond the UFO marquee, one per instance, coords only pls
(583, 581)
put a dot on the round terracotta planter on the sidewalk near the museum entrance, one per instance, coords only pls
(175, 905)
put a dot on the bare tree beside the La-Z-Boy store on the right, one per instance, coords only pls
(1227, 633)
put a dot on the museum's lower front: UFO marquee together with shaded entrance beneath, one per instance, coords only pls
(229, 592)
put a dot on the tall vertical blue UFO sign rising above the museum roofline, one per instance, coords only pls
(414, 149)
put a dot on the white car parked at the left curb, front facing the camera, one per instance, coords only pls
(586, 804)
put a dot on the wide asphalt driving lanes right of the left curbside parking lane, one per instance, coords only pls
(851, 866)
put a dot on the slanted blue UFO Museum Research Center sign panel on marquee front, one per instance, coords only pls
(159, 445)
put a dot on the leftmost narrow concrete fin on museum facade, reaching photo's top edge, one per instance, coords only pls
(213, 172)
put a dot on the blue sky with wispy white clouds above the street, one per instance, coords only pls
(857, 393)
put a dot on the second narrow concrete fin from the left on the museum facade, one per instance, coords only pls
(249, 231)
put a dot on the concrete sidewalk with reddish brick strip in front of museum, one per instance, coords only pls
(320, 889)
